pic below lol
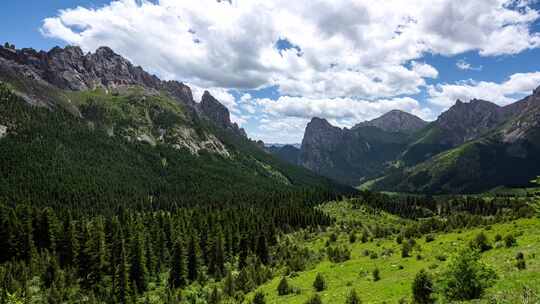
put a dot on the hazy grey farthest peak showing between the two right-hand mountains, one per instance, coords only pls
(395, 121)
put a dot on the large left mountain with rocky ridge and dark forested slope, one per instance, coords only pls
(96, 131)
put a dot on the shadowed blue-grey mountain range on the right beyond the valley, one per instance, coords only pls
(473, 146)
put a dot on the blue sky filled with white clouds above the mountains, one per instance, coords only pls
(277, 64)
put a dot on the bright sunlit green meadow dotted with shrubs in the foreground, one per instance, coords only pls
(397, 273)
